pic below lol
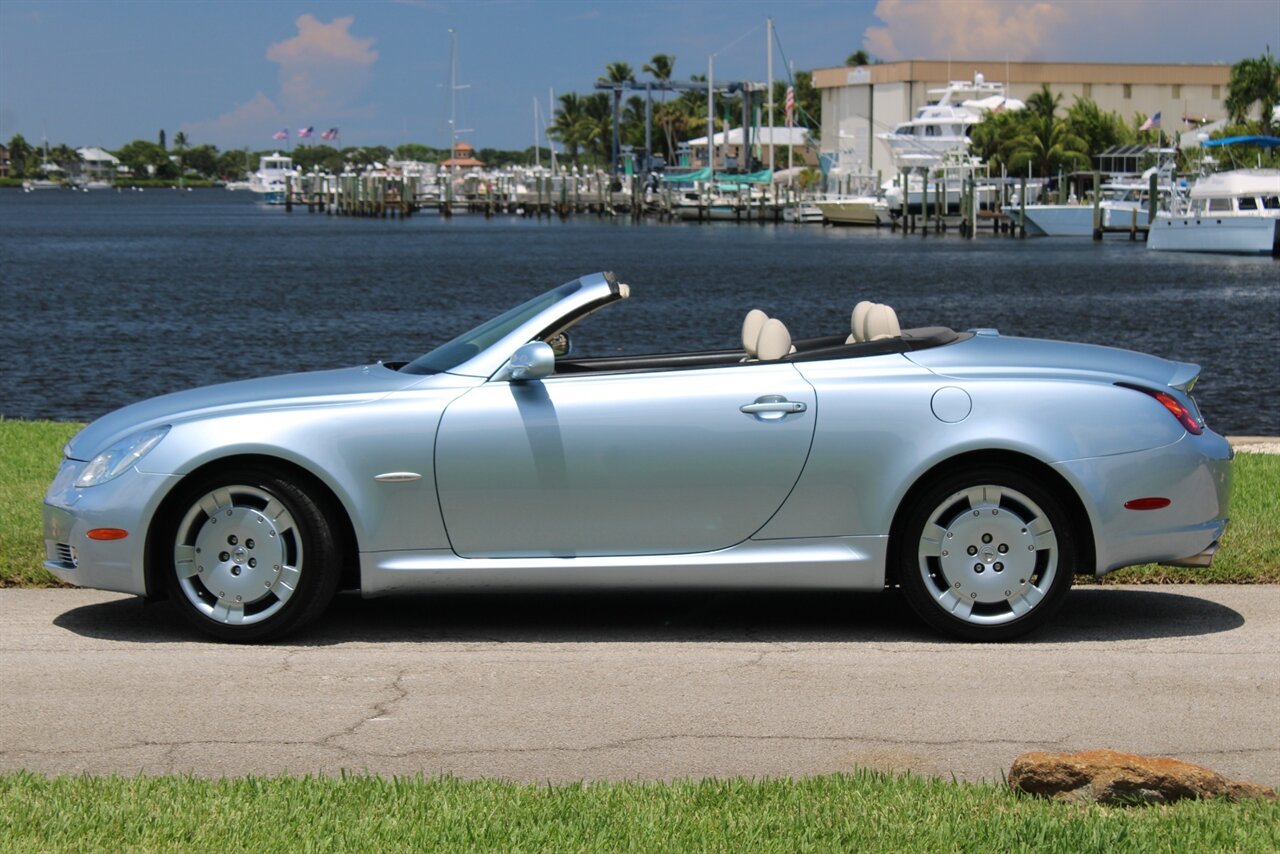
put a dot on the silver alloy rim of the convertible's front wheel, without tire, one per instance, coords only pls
(239, 555)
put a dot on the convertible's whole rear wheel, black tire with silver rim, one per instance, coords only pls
(986, 554)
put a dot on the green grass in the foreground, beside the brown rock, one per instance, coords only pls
(860, 812)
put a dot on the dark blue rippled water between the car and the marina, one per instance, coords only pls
(111, 298)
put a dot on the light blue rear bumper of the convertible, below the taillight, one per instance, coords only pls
(1194, 473)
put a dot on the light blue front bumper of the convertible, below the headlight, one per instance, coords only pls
(127, 503)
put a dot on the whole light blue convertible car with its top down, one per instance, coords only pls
(980, 473)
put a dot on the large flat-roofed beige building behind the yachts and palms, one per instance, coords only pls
(861, 103)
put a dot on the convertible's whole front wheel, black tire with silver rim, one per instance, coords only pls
(249, 556)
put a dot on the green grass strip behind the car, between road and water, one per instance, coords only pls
(31, 451)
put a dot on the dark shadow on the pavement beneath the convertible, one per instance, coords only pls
(1090, 615)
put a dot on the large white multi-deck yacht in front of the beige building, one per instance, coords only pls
(944, 126)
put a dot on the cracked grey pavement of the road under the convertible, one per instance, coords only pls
(561, 688)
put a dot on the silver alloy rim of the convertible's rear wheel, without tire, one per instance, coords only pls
(988, 555)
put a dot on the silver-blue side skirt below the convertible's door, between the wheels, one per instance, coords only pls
(834, 563)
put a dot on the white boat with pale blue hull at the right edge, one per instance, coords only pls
(1233, 212)
